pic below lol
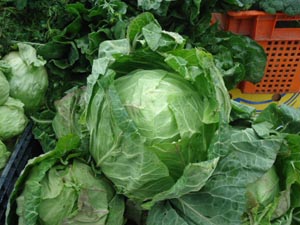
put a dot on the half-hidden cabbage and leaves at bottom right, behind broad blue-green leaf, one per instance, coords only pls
(282, 203)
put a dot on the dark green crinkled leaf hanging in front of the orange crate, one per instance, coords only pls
(239, 57)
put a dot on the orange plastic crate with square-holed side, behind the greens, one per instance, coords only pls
(279, 37)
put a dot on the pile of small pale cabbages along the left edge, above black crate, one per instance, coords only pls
(24, 82)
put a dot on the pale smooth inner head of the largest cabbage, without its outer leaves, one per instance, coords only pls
(168, 112)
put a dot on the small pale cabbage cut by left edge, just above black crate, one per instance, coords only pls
(12, 120)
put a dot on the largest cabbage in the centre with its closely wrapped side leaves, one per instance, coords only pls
(151, 128)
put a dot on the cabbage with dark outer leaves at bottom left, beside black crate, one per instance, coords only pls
(60, 187)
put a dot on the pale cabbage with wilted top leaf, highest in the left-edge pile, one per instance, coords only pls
(27, 76)
